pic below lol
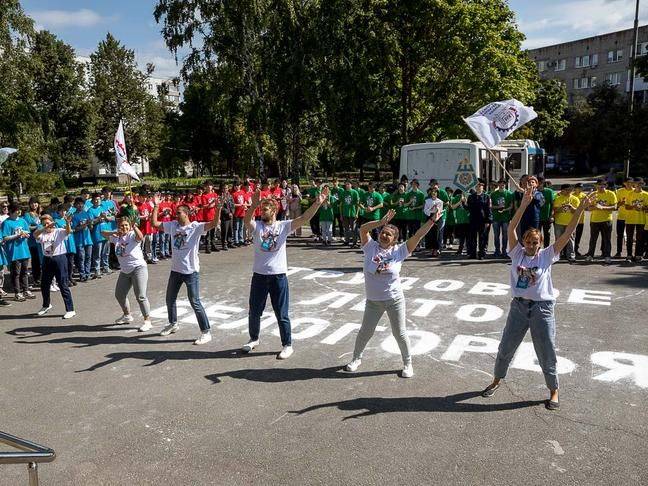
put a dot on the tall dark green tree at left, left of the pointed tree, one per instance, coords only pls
(61, 99)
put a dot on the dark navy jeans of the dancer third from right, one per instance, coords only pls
(277, 287)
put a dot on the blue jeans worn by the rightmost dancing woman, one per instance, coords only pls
(539, 317)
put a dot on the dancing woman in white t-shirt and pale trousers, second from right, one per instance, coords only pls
(382, 264)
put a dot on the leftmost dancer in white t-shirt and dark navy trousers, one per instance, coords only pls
(52, 241)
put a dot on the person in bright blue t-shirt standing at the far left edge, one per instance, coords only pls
(15, 232)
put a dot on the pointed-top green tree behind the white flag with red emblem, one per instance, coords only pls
(118, 91)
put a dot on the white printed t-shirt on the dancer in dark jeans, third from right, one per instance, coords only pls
(270, 247)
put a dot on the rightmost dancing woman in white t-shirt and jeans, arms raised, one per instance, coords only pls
(534, 299)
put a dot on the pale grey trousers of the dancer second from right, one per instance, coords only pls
(374, 309)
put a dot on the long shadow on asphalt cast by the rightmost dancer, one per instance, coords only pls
(451, 403)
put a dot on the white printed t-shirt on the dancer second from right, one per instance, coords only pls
(382, 270)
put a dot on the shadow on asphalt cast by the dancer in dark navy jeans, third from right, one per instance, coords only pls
(160, 356)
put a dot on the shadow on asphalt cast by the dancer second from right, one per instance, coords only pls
(278, 375)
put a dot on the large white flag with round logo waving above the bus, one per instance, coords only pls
(496, 121)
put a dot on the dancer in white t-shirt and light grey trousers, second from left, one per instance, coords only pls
(133, 271)
